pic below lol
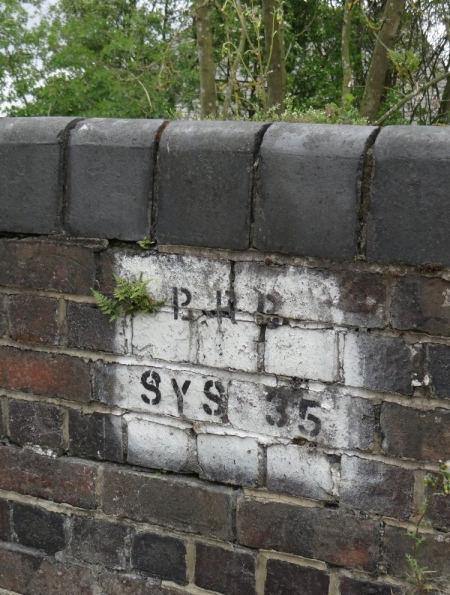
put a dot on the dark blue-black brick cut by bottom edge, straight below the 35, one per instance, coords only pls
(284, 578)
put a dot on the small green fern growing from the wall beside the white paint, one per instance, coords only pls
(129, 297)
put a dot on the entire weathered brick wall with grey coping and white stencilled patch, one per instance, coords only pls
(268, 431)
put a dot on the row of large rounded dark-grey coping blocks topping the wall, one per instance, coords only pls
(300, 189)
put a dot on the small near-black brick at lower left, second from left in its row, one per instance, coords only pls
(38, 528)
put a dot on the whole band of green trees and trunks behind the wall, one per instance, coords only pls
(145, 59)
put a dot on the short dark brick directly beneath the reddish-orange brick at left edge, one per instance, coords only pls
(32, 422)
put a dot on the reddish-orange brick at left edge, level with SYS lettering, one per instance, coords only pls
(45, 374)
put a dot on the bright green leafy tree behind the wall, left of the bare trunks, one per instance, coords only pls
(103, 58)
